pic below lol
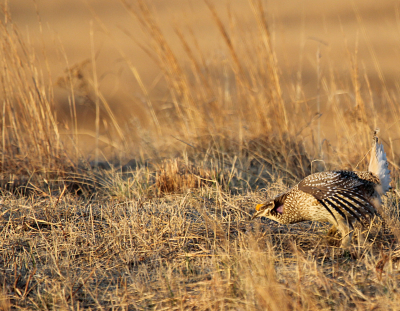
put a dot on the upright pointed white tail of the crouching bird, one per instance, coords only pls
(378, 164)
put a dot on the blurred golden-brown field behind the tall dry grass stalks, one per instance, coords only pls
(357, 42)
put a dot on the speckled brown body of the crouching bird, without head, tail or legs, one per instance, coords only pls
(330, 195)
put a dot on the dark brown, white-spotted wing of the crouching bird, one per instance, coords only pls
(340, 191)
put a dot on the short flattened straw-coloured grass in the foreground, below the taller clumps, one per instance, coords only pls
(196, 250)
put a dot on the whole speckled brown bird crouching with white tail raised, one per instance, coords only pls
(340, 197)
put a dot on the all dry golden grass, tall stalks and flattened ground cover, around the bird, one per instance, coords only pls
(171, 229)
